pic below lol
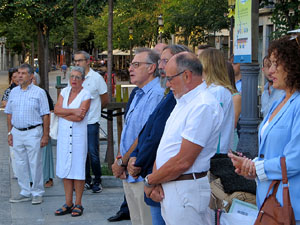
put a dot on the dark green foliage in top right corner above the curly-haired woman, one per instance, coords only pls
(285, 15)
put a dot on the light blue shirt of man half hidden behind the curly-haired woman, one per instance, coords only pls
(268, 100)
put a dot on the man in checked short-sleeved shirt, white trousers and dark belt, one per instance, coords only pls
(27, 112)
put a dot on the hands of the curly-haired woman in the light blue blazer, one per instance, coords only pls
(243, 166)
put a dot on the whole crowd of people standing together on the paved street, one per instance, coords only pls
(184, 110)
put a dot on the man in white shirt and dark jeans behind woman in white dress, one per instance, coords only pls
(96, 85)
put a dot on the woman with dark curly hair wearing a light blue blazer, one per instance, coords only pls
(279, 133)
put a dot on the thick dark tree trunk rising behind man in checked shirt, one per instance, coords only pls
(43, 53)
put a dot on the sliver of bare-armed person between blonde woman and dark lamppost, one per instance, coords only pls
(237, 103)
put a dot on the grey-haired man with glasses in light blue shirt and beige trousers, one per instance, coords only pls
(142, 70)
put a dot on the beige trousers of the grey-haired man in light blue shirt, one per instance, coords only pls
(140, 213)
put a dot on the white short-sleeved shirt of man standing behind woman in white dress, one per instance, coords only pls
(96, 85)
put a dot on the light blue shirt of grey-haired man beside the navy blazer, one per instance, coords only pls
(144, 102)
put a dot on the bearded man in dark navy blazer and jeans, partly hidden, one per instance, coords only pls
(143, 157)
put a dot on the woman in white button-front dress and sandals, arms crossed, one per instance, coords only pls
(72, 108)
